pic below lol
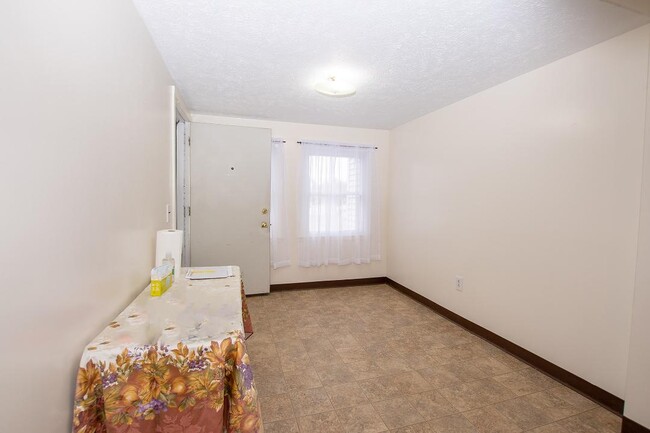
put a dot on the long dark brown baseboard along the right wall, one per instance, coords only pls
(610, 401)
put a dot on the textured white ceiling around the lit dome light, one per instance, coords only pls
(260, 59)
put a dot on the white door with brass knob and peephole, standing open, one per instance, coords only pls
(230, 184)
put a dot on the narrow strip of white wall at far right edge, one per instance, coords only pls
(637, 395)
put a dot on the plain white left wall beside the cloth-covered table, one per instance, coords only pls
(84, 169)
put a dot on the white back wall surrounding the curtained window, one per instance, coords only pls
(293, 132)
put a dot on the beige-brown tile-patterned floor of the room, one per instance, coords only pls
(369, 359)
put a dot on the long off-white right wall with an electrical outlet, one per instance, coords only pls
(530, 190)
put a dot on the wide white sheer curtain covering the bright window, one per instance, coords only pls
(338, 204)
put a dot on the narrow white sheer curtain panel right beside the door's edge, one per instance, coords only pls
(279, 242)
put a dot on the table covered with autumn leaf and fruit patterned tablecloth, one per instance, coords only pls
(175, 363)
